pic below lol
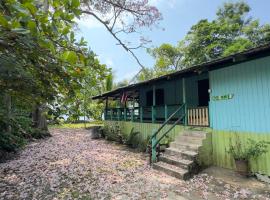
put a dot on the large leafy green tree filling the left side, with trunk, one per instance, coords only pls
(40, 58)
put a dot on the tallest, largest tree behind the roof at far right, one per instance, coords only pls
(231, 32)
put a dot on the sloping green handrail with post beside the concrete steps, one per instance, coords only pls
(155, 141)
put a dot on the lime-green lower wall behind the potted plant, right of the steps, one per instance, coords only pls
(221, 144)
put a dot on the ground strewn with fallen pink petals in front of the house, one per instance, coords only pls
(70, 165)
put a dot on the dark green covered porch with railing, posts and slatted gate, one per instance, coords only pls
(156, 101)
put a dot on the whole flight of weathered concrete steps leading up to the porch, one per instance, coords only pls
(180, 159)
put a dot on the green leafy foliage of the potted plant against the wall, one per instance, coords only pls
(251, 150)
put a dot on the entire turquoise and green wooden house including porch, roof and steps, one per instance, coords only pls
(201, 108)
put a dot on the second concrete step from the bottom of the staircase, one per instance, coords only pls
(173, 160)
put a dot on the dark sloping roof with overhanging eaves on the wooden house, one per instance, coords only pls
(250, 54)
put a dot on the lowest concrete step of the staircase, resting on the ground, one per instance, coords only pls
(172, 170)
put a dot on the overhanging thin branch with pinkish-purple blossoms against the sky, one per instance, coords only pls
(123, 17)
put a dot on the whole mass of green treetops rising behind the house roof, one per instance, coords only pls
(231, 32)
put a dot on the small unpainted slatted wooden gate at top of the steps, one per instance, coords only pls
(198, 116)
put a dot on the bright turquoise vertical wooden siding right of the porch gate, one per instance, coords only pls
(249, 109)
